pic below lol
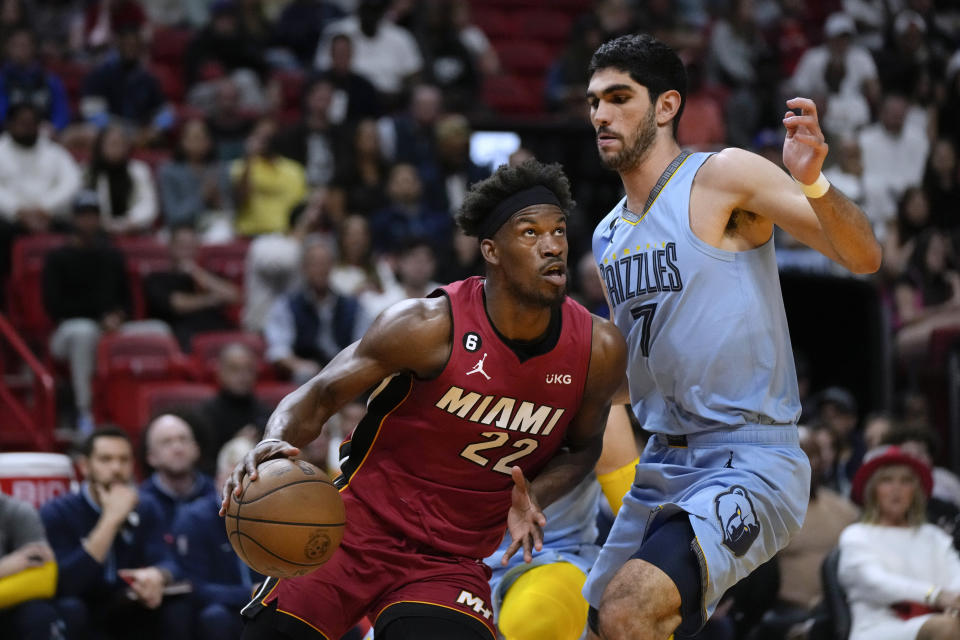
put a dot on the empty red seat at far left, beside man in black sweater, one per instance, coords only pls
(25, 290)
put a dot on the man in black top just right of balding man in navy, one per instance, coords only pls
(235, 408)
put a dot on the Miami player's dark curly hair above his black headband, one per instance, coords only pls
(484, 196)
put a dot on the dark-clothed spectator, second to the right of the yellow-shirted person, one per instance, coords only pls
(359, 185)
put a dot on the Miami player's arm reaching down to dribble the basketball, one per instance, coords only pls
(412, 336)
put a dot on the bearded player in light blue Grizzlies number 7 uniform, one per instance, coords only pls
(688, 263)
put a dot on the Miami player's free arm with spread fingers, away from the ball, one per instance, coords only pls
(582, 446)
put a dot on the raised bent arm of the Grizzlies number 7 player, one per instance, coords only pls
(832, 224)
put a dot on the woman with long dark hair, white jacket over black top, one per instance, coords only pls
(128, 197)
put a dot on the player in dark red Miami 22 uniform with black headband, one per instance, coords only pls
(487, 383)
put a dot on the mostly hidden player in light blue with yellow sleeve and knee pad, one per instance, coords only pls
(542, 598)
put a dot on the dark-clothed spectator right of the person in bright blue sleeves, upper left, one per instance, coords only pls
(122, 87)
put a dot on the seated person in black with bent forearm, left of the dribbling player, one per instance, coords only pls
(189, 298)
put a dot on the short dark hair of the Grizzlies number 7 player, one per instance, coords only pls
(649, 62)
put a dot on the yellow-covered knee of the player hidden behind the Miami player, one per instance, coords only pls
(545, 602)
